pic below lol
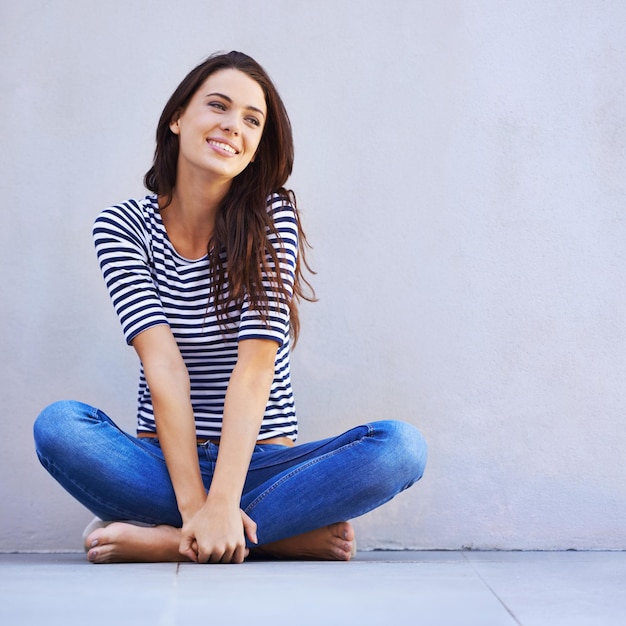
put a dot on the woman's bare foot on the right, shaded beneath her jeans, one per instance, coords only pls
(331, 543)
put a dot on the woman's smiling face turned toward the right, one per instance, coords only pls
(221, 127)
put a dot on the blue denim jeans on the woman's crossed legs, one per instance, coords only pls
(288, 490)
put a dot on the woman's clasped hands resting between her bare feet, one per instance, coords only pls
(216, 534)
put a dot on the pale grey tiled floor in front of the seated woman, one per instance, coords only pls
(377, 588)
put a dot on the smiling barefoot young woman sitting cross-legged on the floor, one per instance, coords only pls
(205, 274)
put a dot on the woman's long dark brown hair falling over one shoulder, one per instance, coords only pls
(239, 253)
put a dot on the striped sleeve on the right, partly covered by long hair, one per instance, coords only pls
(285, 243)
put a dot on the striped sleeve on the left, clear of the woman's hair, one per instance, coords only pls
(122, 248)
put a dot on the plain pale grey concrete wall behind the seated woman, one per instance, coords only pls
(461, 167)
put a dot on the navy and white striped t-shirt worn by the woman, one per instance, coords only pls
(150, 284)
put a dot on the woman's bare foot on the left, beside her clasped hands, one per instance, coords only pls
(120, 542)
